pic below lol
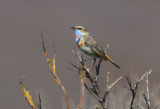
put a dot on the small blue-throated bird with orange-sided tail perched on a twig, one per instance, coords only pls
(89, 46)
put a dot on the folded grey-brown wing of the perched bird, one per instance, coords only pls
(91, 43)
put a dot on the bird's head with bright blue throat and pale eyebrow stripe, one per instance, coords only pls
(79, 31)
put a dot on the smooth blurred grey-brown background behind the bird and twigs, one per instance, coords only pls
(131, 27)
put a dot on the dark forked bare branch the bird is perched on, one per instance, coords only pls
(95, 91)
